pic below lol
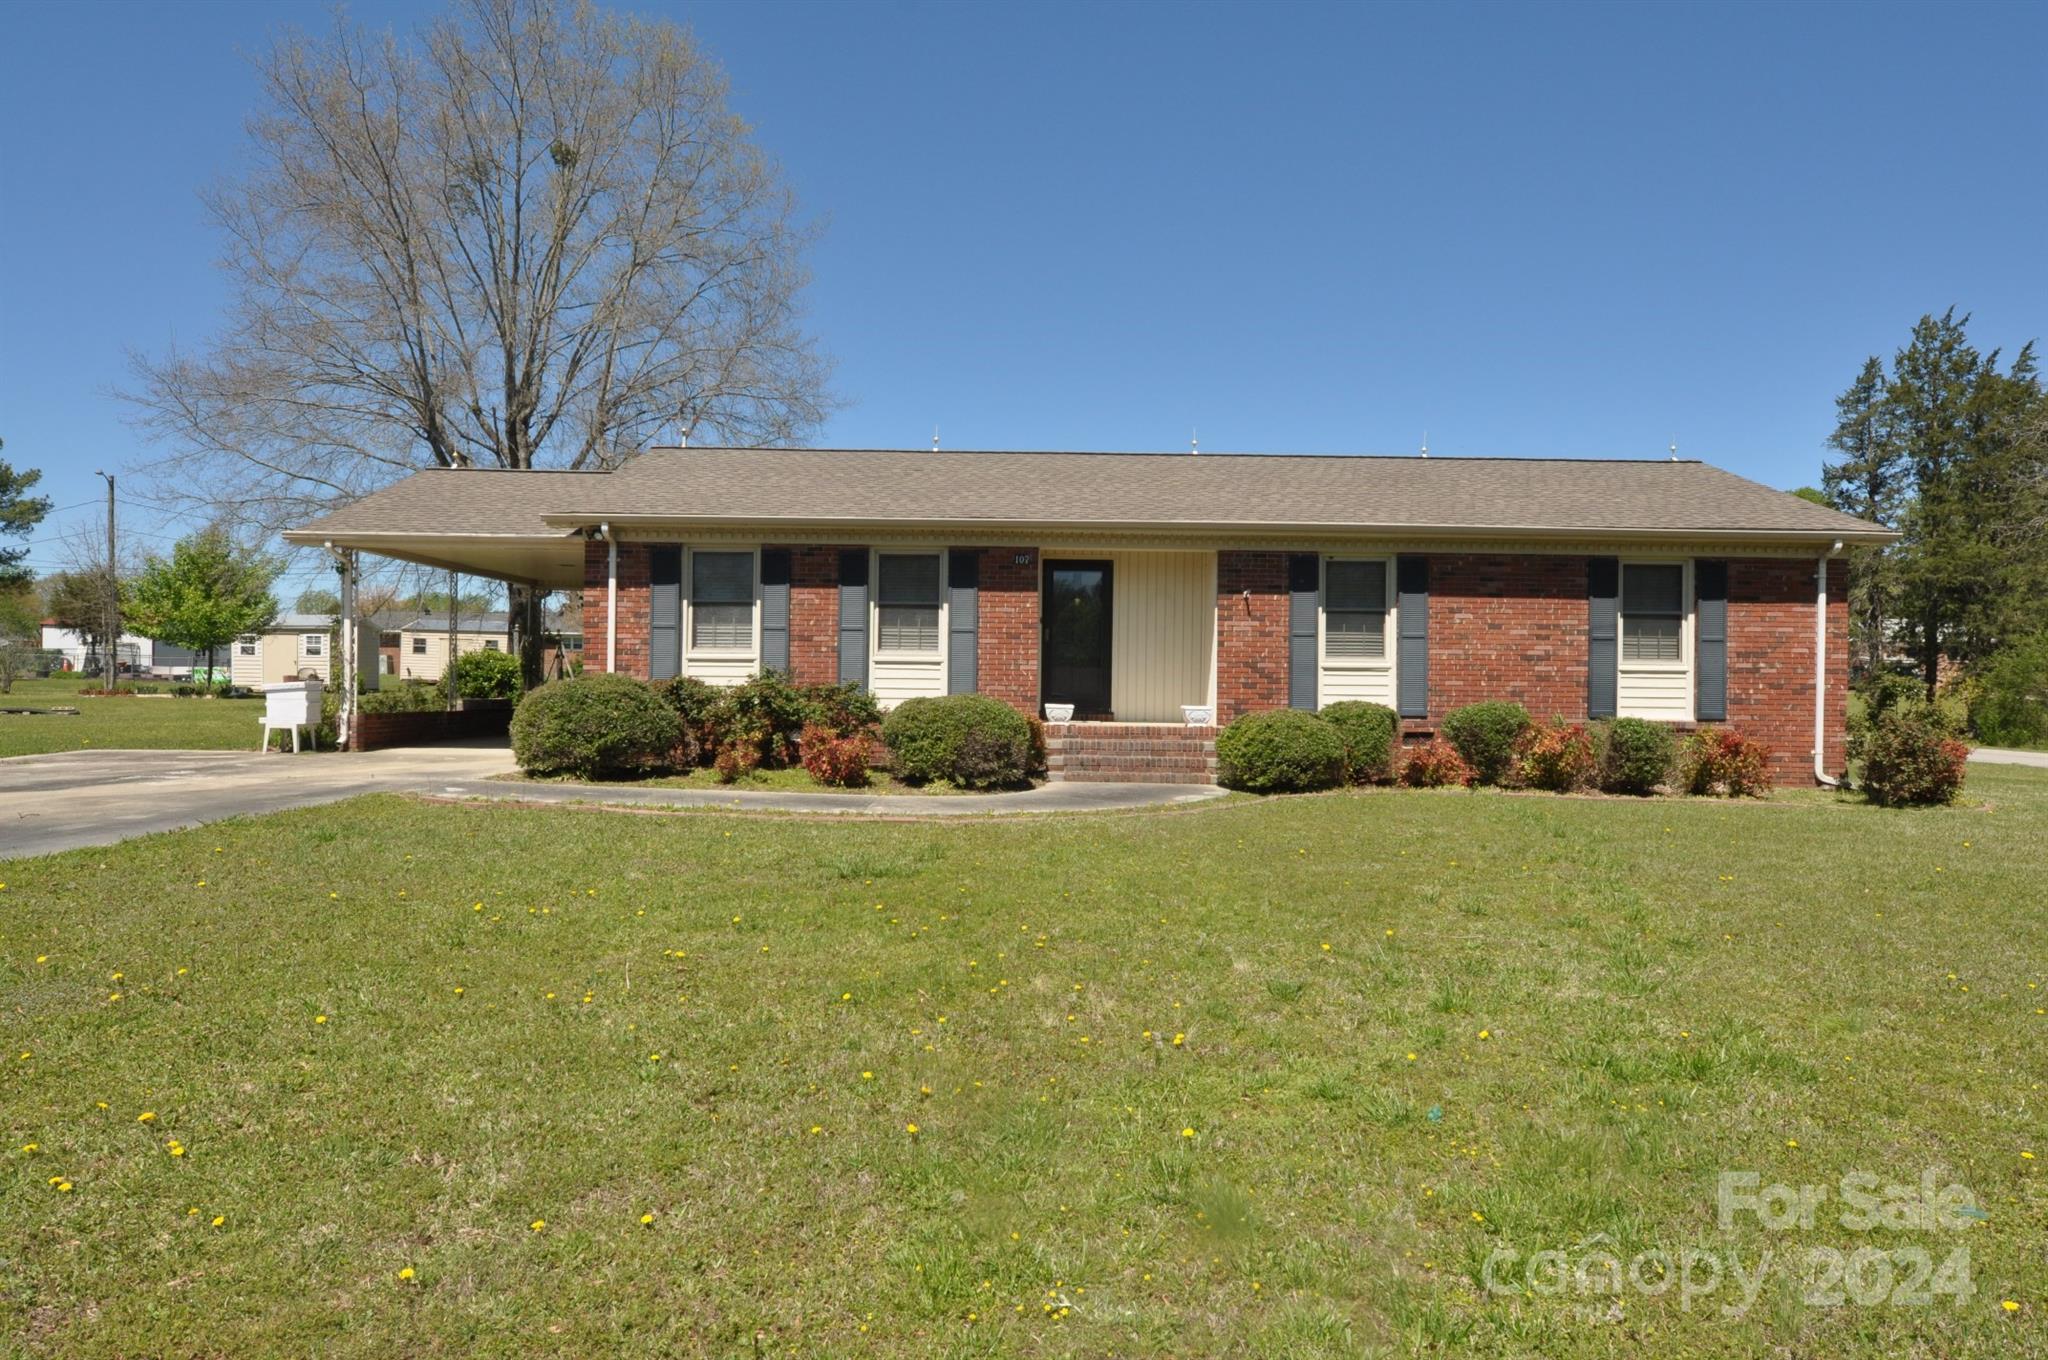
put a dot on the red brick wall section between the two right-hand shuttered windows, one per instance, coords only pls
(1508, 628)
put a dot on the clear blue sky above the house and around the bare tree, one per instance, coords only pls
(1523, 230)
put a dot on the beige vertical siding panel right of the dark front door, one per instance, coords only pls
(1162, 634)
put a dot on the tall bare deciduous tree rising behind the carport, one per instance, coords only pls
(534, 237)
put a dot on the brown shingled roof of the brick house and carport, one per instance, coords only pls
(1082, 491)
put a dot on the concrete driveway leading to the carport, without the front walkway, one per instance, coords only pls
(75, 800)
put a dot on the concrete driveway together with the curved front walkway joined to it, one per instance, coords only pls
(71, 800)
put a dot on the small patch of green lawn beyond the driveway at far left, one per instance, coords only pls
(122, 724)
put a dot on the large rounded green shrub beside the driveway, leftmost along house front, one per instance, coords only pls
(595, 726)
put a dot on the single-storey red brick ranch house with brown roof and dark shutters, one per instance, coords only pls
(1138, 587)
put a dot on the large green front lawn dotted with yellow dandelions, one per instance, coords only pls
(1271, 1078)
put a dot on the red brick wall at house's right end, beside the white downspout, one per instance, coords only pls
(1770, 663)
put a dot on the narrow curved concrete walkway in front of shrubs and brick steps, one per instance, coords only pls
(1041, 800)
